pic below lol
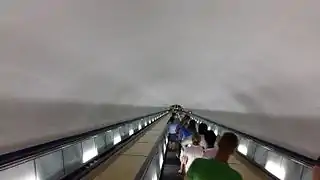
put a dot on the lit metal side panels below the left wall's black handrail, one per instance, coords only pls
(76, 156)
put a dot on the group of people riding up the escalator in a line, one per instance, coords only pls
(201, 156)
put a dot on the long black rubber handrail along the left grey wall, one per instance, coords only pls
(18, 157)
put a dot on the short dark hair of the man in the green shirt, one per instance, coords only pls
(228, 142)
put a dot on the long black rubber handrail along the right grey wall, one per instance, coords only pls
(291, 154)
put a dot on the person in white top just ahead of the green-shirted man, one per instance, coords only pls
(191, 153)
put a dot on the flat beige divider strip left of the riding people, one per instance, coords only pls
(126, 163)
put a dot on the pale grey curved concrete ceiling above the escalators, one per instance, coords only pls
(249, 56)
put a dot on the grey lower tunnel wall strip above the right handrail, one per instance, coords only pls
(299, 134)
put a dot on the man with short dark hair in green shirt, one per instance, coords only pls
(217, 168)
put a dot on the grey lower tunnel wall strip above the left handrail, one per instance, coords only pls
(25, 123)
